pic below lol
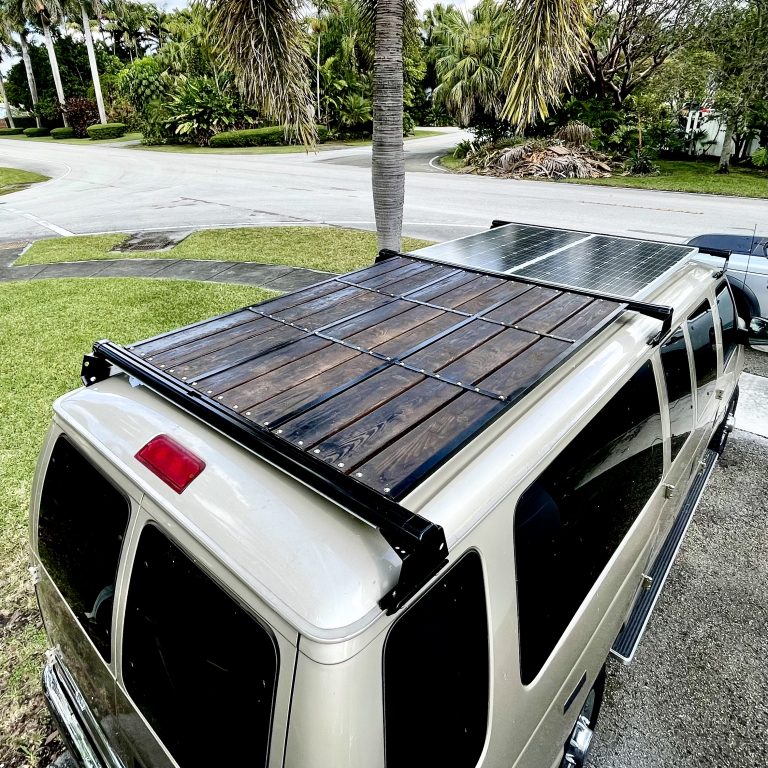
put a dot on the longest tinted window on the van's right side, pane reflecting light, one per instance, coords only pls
(570, 521)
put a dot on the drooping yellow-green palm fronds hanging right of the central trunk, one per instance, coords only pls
(542, 45)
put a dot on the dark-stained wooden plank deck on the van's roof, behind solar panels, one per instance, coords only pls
(384, 373)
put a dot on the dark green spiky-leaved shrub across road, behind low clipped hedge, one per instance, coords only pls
(198, 110)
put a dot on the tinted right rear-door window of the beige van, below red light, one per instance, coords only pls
(200, 668)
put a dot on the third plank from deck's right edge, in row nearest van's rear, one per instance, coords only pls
(344, 409)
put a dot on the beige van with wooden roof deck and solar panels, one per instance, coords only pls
(398, 518)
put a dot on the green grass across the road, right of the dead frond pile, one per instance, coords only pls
(692, 176)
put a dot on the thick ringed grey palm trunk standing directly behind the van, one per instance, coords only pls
(388, 160)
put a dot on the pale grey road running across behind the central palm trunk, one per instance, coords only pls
(99, 188)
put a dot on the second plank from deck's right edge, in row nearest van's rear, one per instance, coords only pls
(368, 435)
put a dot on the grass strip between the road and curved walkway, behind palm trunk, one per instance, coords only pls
(322, 248)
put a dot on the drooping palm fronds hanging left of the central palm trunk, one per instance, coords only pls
(263, 43)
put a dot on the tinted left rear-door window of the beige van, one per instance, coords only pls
(82, 524)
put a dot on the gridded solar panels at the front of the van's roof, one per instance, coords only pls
(616, 265)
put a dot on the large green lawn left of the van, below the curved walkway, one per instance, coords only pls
(45, 328)
